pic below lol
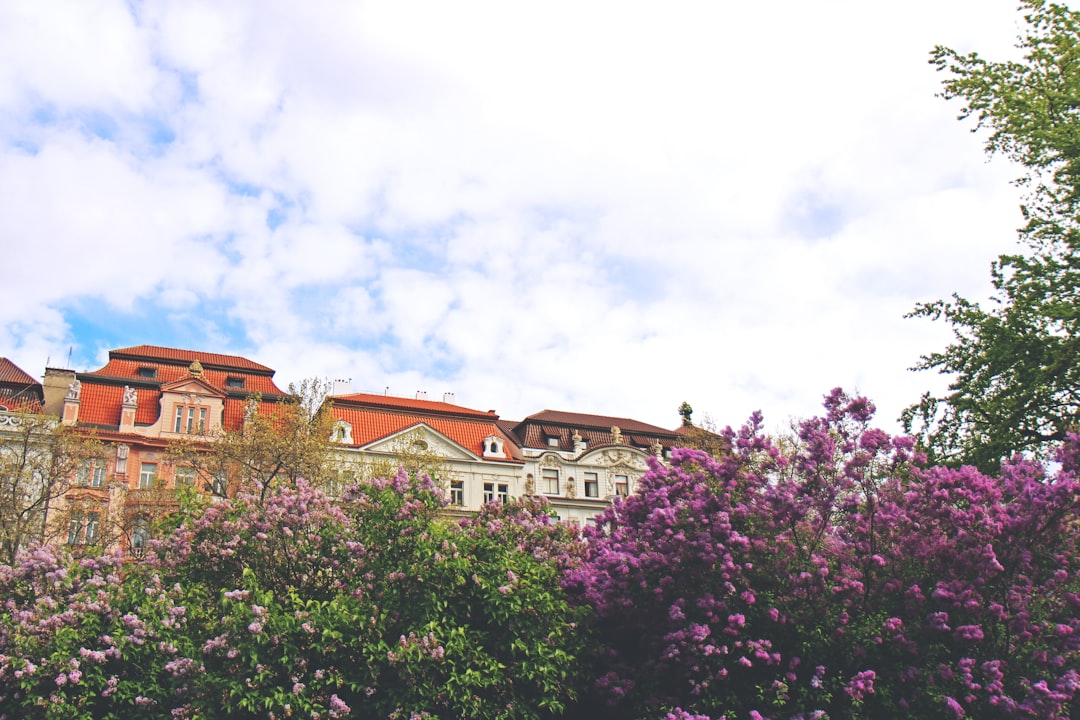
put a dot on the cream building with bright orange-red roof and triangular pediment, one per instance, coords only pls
(481, 461)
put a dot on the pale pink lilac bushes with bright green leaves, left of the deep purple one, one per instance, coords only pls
(299, 607)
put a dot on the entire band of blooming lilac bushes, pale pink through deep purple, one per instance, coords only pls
(839, 577)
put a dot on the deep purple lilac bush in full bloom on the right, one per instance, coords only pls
(842, 579)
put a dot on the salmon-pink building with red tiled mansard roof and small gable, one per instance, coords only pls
(141, 400)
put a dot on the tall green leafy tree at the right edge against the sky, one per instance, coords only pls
(1015, 376)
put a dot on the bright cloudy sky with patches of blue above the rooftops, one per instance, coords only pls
(592, 207)
